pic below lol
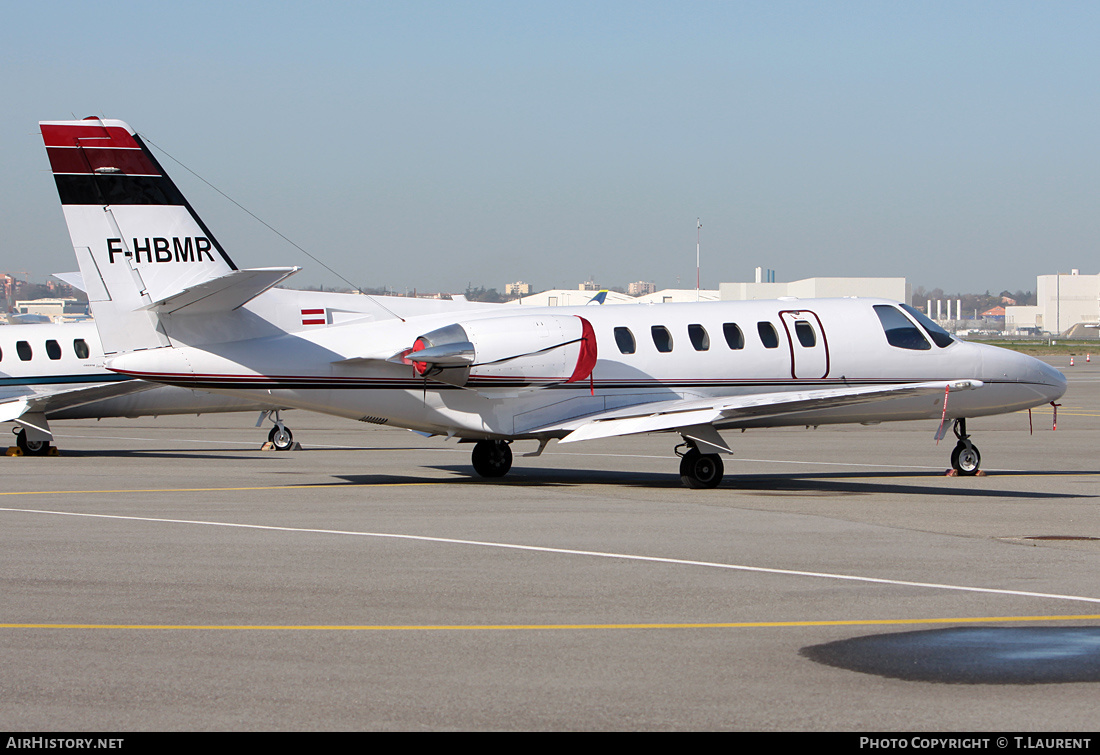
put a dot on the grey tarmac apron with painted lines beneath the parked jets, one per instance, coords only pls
(168, 575)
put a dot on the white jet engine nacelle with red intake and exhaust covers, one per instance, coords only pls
(508, 352)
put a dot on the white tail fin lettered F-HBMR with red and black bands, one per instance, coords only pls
(138, 240)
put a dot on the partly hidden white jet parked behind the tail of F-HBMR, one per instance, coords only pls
(53, 371)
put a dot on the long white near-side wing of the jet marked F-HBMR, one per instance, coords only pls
(684, 414)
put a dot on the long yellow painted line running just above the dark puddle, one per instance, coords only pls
(467, 628)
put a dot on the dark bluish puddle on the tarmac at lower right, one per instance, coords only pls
(972, 655)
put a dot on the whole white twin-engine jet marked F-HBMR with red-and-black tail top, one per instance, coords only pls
(173, 309)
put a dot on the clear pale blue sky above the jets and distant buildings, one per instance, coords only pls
(433, 145)
